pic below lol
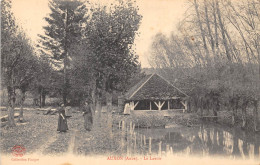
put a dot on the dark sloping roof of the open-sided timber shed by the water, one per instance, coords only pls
(153, 87)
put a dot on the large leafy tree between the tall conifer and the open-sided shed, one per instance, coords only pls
(110, 36)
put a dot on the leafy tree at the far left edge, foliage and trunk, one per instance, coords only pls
(16, 53)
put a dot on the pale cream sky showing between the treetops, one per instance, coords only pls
(158, 16)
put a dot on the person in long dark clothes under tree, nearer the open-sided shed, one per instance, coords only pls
(87, 114)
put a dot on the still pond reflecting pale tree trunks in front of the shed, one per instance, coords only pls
(203, 140)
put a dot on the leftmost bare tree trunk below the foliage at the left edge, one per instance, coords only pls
(11, 104)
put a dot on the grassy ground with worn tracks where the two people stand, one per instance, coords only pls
(38, 134)
